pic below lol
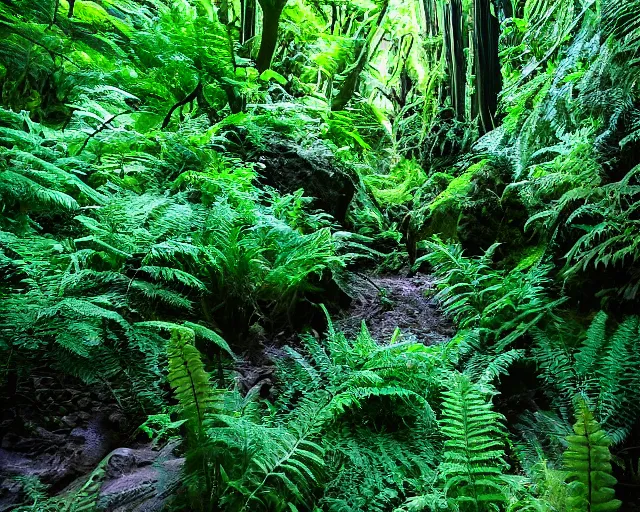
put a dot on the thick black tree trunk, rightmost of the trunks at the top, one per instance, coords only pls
(488, 78)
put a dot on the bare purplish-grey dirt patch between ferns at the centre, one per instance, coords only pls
(387, 302)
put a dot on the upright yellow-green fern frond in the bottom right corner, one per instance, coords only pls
(587, 461)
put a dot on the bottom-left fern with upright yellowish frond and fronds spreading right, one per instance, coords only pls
(281, 462)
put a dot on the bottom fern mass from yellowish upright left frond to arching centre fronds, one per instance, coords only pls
(248, 454)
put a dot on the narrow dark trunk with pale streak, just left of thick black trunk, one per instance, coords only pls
(454, 44)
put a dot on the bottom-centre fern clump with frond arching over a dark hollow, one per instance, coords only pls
(372, 464)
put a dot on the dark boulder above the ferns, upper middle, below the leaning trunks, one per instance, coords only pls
(289, 167)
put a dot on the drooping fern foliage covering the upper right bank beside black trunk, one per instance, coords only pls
(565, 139)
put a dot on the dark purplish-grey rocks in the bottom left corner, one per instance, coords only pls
(61, 439)
